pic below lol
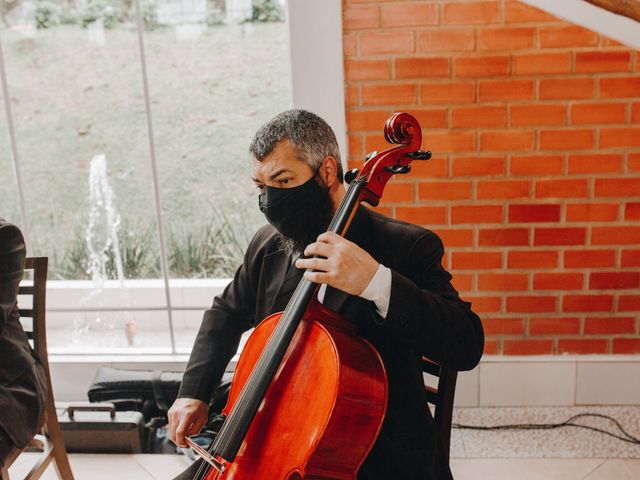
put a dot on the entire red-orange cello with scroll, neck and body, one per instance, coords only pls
(309, 395)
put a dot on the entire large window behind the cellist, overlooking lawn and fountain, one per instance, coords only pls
(109, 107)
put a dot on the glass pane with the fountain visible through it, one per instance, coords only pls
(78, 104)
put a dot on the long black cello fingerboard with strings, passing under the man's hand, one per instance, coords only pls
(253, 384)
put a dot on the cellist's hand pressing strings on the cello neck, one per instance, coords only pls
(342, 264)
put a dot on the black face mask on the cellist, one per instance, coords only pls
(300, 213)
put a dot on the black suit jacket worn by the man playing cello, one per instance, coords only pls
(425, 317)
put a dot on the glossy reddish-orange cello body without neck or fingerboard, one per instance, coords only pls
(323, 410)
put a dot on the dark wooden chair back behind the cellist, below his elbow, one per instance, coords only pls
(442, 399)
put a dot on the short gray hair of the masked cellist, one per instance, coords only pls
(309, 134)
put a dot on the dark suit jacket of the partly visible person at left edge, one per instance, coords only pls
(22, 378)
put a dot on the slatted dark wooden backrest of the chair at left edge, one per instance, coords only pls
(38, 292)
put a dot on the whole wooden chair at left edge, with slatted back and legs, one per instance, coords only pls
(50, 440)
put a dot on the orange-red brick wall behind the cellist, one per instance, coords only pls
(535, 181)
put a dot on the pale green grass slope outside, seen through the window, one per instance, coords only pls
(72, 99)
